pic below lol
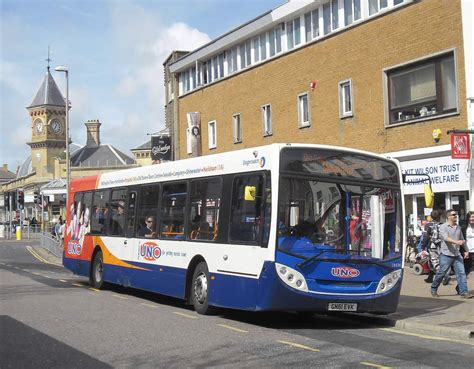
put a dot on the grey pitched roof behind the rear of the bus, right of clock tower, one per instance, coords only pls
(100, 156)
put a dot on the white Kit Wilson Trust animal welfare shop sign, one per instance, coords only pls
(447, 174)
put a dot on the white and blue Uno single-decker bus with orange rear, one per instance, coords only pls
(291, 227)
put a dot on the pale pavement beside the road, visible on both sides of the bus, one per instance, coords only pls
(445, 317)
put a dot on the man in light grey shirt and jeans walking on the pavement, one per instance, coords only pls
(452, 240)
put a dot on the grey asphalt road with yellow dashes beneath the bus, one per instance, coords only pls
(52, 319)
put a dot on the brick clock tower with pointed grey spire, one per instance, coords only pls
(48, 134)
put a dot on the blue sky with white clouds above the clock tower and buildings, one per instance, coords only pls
(114, 50)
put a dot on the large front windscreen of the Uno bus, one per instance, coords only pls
(333, 216)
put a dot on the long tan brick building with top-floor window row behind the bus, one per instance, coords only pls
(377, 75)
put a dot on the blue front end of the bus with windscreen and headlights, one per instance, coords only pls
(339, 233)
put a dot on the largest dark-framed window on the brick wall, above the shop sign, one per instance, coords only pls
(422, 89)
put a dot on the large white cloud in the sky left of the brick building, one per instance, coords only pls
(144, 42)
